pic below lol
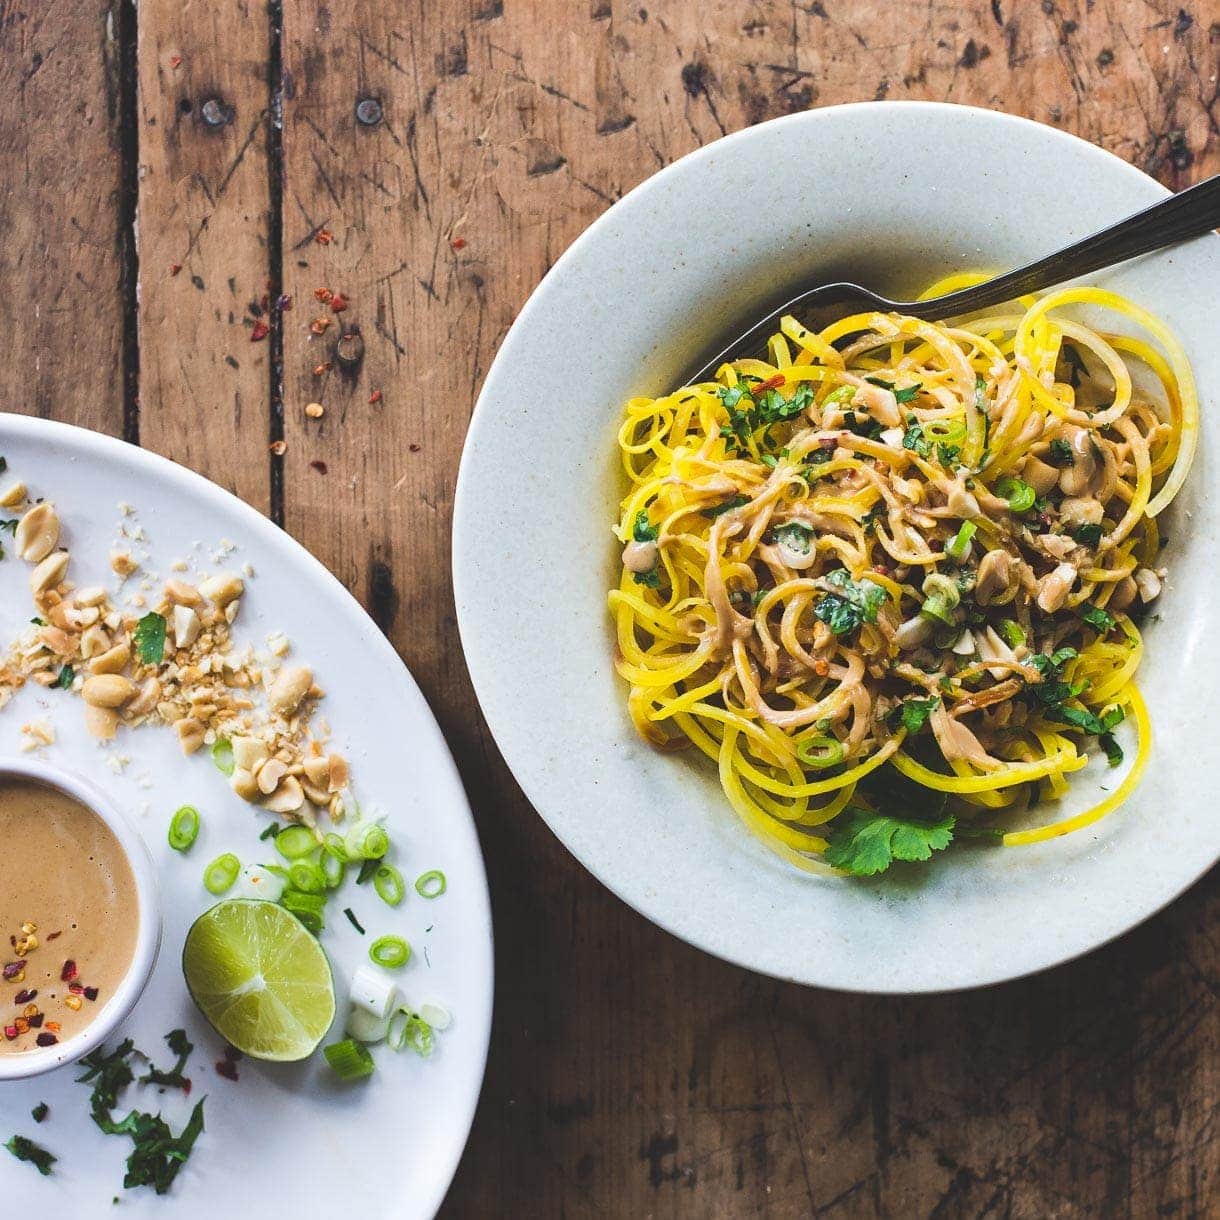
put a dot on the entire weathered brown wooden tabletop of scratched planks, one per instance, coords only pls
(169, 178)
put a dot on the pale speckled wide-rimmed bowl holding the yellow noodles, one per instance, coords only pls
(891, 196)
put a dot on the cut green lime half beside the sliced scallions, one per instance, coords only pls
(260, 979)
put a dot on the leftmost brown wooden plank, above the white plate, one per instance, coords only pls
(63, 213)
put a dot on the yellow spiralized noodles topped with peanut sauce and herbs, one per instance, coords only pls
(897, 557)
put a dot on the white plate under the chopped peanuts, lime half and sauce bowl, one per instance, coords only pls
(286, 1140)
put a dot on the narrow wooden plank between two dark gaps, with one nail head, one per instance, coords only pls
(204, 234)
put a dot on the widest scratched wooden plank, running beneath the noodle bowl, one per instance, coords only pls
(629, 1074)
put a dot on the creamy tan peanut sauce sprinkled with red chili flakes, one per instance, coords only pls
(63, 873)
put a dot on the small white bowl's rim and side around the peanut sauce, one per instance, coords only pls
(148, 935)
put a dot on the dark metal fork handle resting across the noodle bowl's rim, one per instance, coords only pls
(1189, 214)
